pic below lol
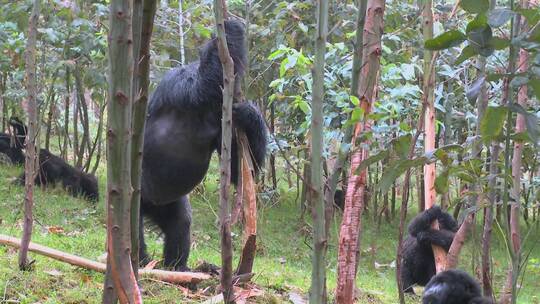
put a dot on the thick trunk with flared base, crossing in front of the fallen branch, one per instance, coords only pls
(119, 193)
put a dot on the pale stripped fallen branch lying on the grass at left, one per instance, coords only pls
(161, 275)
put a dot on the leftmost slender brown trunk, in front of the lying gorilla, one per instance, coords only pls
(31, 154)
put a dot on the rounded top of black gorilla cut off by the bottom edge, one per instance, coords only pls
(453, 287)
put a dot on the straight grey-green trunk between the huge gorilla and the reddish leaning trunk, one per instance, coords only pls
(317, 292)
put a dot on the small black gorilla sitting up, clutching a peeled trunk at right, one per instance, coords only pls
(418, 260)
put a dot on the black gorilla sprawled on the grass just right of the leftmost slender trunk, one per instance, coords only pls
(53, 169)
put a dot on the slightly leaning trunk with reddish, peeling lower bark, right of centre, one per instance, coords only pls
(349, 234)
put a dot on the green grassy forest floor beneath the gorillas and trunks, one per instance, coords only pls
(282, 264)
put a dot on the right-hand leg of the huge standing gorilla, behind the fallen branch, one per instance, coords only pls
(174, 220)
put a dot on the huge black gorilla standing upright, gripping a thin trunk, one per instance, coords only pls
(183, 129)
